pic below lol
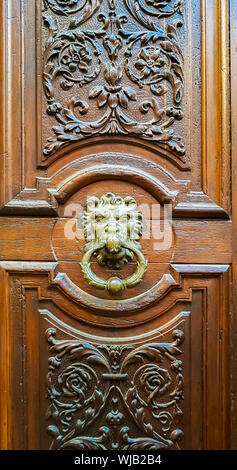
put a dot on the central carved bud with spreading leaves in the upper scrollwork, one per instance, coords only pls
(113, 94)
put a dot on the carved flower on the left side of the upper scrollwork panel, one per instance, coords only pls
(77, 57)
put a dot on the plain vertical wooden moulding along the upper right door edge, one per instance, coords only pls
(215, 102)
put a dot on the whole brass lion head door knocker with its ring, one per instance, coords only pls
(112, 229)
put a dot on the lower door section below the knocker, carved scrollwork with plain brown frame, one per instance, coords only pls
(99, 386)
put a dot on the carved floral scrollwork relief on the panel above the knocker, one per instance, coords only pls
(120, 62)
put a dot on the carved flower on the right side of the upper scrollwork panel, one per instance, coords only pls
(149, 62)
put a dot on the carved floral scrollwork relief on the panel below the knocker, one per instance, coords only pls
(93, 390)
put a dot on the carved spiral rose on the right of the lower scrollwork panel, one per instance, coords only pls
(154, 381)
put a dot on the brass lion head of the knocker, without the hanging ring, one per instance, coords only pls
(110, 221)
